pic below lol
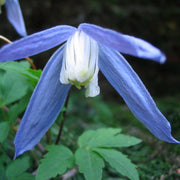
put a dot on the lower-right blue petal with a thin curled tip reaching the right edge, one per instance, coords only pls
(122, 77)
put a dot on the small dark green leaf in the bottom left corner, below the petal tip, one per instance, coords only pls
(17, 167)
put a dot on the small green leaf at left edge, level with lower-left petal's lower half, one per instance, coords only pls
(4, 131)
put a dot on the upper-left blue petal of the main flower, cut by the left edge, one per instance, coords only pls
(36, 43)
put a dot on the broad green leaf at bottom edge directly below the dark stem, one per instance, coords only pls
(56, 161)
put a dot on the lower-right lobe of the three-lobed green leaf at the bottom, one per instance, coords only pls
(119, 161)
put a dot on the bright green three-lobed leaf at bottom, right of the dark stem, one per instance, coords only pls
(96, 146)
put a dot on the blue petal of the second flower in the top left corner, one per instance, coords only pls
(14, 15)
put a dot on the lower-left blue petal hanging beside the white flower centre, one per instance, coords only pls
(44, 106)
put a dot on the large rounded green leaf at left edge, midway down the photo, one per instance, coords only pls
(12, 88)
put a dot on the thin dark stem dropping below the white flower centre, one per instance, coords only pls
(62, 122)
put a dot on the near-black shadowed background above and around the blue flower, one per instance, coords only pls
(156, 21)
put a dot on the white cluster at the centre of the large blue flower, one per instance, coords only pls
(80, 63)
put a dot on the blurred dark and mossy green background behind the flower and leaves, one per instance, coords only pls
(156, 21)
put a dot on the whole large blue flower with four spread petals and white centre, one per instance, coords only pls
(88, 48)
